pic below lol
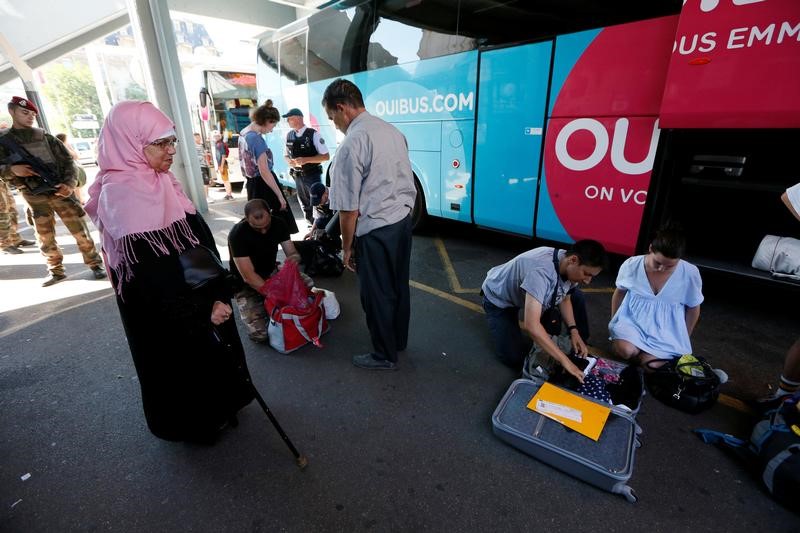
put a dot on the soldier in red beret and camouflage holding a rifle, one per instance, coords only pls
(43, 207)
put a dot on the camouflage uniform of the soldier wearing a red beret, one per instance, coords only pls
(43, 207)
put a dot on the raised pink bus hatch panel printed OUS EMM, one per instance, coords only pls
(735, 64)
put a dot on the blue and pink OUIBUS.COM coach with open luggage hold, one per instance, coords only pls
(547, 129)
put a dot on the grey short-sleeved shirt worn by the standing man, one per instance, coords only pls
(371, 174)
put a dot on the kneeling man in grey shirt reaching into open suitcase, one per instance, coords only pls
(529, 282)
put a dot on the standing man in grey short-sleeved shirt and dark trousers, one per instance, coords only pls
(372, 187)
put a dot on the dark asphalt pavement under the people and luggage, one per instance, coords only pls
(388, 451)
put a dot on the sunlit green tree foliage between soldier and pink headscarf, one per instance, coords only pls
(71, 89)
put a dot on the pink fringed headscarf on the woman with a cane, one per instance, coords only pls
(129, 199)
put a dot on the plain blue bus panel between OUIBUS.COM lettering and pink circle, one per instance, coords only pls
(511, 113)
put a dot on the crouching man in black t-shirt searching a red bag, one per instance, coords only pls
(253, 246)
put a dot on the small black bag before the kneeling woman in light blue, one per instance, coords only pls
(681, 386)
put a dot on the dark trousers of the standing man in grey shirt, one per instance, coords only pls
(383, 256)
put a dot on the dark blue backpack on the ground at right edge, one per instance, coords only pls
(773, 450)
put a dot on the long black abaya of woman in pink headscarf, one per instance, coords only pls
(191, 383)
